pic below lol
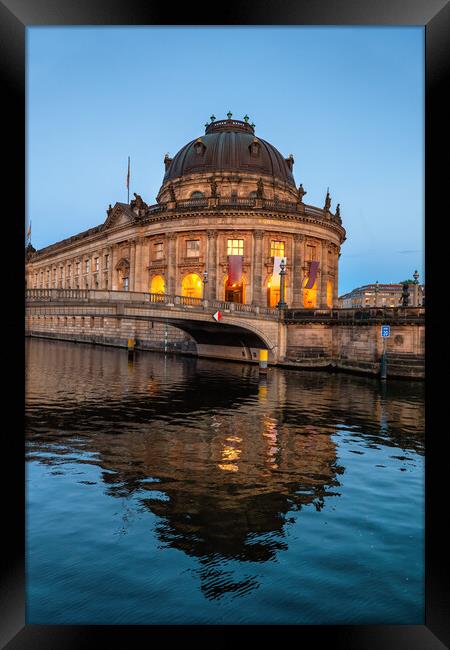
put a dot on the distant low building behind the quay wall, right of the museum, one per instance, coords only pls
(382, 295)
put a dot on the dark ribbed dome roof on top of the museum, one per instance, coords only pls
(229, 146)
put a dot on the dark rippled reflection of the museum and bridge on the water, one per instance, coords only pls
(221, 456)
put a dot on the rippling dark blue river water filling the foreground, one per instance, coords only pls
(175, 490)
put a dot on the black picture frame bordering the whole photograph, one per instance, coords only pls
(15, 17)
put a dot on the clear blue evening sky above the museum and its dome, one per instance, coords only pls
(347, 102)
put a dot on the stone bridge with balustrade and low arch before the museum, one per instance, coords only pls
(241, 332)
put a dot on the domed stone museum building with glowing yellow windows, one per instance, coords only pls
(227, 215)
